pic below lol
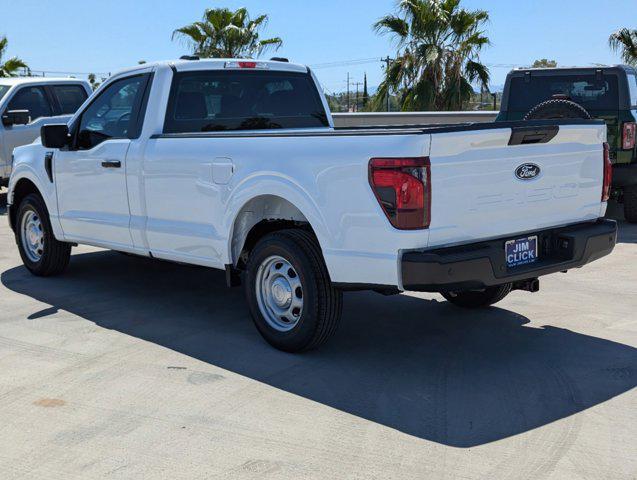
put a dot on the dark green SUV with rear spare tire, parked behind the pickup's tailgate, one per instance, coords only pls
(606, 93)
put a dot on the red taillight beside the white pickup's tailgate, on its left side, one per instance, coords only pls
(403, 189)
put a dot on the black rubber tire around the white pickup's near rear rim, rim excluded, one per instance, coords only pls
(322, 303)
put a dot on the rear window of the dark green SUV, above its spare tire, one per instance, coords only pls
(590, 92)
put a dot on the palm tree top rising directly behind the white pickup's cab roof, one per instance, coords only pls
(223, 33)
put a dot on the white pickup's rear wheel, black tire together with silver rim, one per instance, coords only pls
(293, 303)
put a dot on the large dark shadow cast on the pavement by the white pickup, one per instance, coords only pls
(422, 367)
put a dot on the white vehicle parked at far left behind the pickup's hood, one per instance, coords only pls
(27, 103)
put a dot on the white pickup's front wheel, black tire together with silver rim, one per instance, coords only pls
(41, 253)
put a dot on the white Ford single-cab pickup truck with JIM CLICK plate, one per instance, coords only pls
(236, 165)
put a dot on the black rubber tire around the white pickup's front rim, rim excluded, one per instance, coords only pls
(55, 254)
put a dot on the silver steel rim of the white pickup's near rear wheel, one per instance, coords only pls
(279, 293)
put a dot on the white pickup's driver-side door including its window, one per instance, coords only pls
(91, 174)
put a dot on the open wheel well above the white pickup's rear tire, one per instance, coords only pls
(259, 217)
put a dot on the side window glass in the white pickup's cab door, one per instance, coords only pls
(113, 114)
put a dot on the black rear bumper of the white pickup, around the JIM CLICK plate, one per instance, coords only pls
(483, 264)
